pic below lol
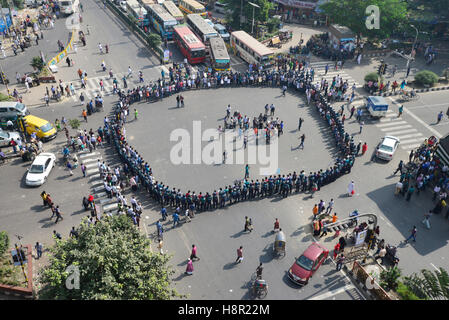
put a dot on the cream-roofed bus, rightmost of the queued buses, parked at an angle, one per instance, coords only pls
(251, 50)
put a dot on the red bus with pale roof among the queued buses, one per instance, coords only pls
(189, 44)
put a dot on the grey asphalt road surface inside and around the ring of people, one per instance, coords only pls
(218, 234)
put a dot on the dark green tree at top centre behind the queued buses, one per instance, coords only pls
(261, 15)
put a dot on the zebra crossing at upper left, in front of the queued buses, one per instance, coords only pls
(93, 84)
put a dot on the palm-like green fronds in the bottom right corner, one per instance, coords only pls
(429, 285)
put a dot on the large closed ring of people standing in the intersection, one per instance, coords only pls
(289, 76)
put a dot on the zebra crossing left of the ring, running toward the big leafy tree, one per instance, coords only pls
(96, 182)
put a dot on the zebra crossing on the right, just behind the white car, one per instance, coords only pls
(392, 125)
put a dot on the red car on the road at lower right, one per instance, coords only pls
(308, 263)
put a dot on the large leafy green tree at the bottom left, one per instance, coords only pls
(114, 261)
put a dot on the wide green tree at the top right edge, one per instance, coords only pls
(351, 13)
